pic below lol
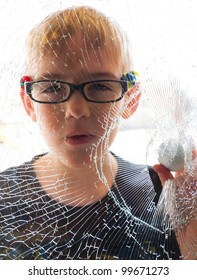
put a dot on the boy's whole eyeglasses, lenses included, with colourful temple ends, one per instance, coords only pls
(100, 91)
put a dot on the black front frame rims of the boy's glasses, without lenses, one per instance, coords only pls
(73, 87)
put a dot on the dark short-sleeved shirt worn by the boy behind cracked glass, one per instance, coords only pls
(125, 224)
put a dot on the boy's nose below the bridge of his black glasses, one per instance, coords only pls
(77, 107)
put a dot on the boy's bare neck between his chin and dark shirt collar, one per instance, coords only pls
(76, 187)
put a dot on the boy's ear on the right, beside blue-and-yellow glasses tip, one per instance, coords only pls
(132, 98)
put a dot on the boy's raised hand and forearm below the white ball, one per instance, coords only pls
(182, 205)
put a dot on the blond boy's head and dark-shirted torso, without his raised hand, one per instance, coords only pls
(79, 200)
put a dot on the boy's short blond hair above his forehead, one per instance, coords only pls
(78, 22)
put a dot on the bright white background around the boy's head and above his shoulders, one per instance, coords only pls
(164, 45)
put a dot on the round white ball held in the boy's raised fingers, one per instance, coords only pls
(171, 154)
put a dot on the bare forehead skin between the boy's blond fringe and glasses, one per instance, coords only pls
(75, 60)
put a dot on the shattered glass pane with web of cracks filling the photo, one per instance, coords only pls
(87, 143)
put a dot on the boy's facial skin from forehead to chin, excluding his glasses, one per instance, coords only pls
(77, 131)
